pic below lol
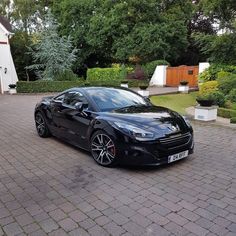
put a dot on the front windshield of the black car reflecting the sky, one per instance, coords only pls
(108, 99)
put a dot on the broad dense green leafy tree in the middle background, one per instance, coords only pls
(108, 31)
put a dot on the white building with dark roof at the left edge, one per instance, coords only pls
(7, 68)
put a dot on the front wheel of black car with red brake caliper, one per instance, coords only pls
(103, 149)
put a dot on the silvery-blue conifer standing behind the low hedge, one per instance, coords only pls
(52, 54)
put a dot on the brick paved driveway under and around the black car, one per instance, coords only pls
(49, 187)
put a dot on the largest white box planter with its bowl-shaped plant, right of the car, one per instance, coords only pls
(205, 110)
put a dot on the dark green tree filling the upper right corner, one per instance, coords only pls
(219, 48)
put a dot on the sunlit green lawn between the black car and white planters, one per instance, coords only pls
(176, 102)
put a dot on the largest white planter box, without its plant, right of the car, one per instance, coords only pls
(204, 113)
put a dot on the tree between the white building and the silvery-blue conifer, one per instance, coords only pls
(26, 17)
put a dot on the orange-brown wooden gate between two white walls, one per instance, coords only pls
(175, 74)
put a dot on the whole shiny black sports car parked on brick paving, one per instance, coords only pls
(115, 125)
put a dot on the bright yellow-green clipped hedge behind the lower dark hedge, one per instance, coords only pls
(107, 74)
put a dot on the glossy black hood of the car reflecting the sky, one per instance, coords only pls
(158, 120)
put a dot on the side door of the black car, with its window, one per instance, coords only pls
(74, 124)
